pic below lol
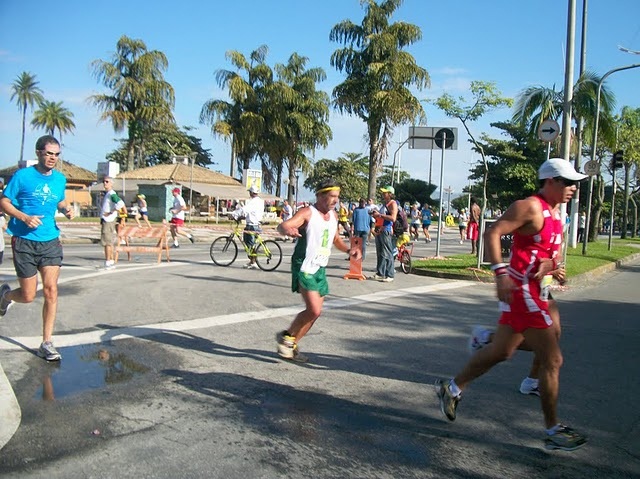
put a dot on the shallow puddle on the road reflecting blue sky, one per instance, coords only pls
(87, 368)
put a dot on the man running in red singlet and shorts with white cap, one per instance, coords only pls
(522, 288)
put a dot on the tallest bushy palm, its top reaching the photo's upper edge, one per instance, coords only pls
(380, 75)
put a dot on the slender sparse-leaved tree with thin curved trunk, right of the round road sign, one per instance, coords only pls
(485, 97)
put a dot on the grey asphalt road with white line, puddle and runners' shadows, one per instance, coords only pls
(170, 371)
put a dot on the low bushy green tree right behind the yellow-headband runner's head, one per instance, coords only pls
(350, 171)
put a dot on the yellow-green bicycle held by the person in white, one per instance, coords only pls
(224, 250)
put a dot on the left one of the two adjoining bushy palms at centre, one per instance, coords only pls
(240, 120)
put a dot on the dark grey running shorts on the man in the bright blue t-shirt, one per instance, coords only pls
(29, 256)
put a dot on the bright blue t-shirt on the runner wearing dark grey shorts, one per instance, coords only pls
(36, 194)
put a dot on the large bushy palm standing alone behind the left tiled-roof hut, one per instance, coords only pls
(140, 98)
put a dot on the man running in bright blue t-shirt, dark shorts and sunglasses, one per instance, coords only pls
(31, 199)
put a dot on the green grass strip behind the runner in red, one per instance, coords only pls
(577, 264)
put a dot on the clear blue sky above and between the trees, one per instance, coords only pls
(512, 43)
